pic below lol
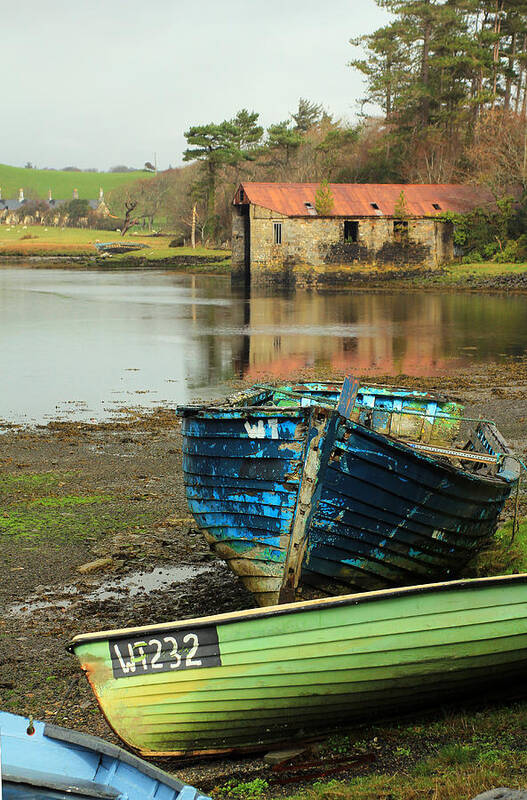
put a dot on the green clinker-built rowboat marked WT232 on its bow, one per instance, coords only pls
(249, 679)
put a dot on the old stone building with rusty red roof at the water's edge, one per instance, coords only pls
(277, 234)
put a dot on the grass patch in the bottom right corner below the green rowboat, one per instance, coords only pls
(451, 757)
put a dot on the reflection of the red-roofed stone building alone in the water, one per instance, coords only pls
(344, 332)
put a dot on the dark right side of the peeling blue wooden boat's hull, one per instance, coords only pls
(389, 516)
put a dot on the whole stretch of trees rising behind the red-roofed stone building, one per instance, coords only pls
(445, 101)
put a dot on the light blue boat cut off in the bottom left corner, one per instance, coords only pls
(44, 762)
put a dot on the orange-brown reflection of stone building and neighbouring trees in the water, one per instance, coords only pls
(376, 333)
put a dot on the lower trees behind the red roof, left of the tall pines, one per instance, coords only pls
(311, 145)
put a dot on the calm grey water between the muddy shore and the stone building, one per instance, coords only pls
(79, 345)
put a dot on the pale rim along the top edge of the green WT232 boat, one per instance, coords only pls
(298, 607)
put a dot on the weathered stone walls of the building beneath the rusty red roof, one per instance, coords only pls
(316, 245)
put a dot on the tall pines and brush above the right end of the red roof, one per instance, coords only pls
(451, 79)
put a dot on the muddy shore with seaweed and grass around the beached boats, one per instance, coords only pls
(74, 493)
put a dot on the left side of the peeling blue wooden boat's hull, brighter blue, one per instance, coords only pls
(243, 474)
